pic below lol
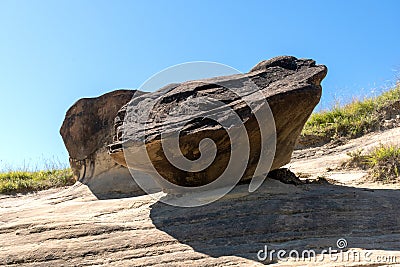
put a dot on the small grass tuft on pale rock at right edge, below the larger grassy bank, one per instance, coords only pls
(383, 163)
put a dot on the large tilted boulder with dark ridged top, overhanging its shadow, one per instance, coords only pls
(291, 87)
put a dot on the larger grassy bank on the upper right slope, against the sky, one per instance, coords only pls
(352, 120)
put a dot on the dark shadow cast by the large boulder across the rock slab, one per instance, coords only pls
(282, 216)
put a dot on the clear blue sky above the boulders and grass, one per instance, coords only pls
(55, 52)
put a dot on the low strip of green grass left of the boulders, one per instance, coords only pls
(12, 182)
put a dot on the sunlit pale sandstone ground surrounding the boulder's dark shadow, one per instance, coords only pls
(71, 227)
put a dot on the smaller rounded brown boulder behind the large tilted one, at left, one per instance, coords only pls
(87, 129)
